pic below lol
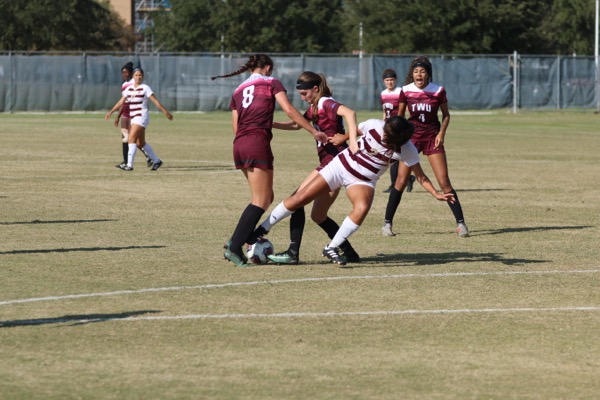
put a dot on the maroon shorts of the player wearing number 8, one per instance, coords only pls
(252, 151)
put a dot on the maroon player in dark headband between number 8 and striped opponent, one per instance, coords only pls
(327, 115)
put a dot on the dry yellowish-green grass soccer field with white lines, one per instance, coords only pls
(113, 284)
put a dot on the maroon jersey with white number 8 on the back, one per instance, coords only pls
(254, 101)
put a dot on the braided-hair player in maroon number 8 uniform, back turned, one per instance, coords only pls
(252, 107)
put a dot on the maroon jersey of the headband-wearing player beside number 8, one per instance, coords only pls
(328, 121)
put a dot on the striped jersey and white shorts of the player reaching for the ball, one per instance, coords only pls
(370, 162)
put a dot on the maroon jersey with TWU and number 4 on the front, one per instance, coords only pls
(423, 106)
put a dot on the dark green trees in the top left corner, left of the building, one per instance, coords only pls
(61, 25)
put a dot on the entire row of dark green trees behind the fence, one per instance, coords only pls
(310, 26)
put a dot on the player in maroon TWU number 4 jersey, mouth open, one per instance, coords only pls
(423, 98)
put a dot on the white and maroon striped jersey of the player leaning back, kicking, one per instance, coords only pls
(373, 158)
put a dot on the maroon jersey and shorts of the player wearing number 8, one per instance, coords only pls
(254, 101)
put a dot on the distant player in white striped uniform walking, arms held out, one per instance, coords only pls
(137, 96)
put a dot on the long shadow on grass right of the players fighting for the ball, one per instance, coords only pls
(416, 259)
